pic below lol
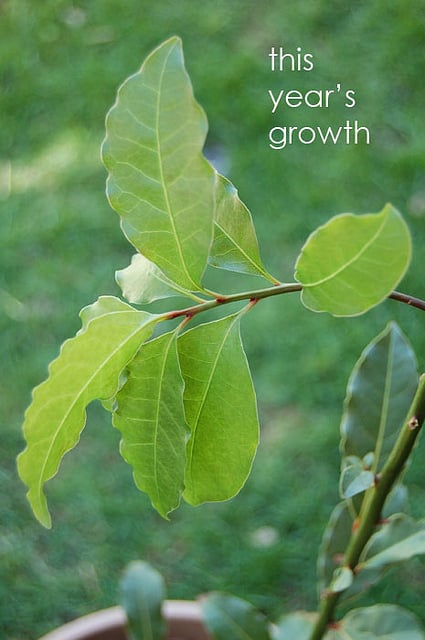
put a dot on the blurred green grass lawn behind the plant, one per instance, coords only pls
(60, 65)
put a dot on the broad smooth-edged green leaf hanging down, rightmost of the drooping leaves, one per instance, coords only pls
(220, 409)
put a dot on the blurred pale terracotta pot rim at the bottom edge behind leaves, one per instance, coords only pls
(114, 617)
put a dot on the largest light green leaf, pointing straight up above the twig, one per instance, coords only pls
(159, 181)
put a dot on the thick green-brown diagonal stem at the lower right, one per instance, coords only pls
(373, 503)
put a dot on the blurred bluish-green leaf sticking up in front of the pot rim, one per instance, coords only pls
(142, 596)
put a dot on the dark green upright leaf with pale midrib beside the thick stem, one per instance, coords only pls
(379, 393)
